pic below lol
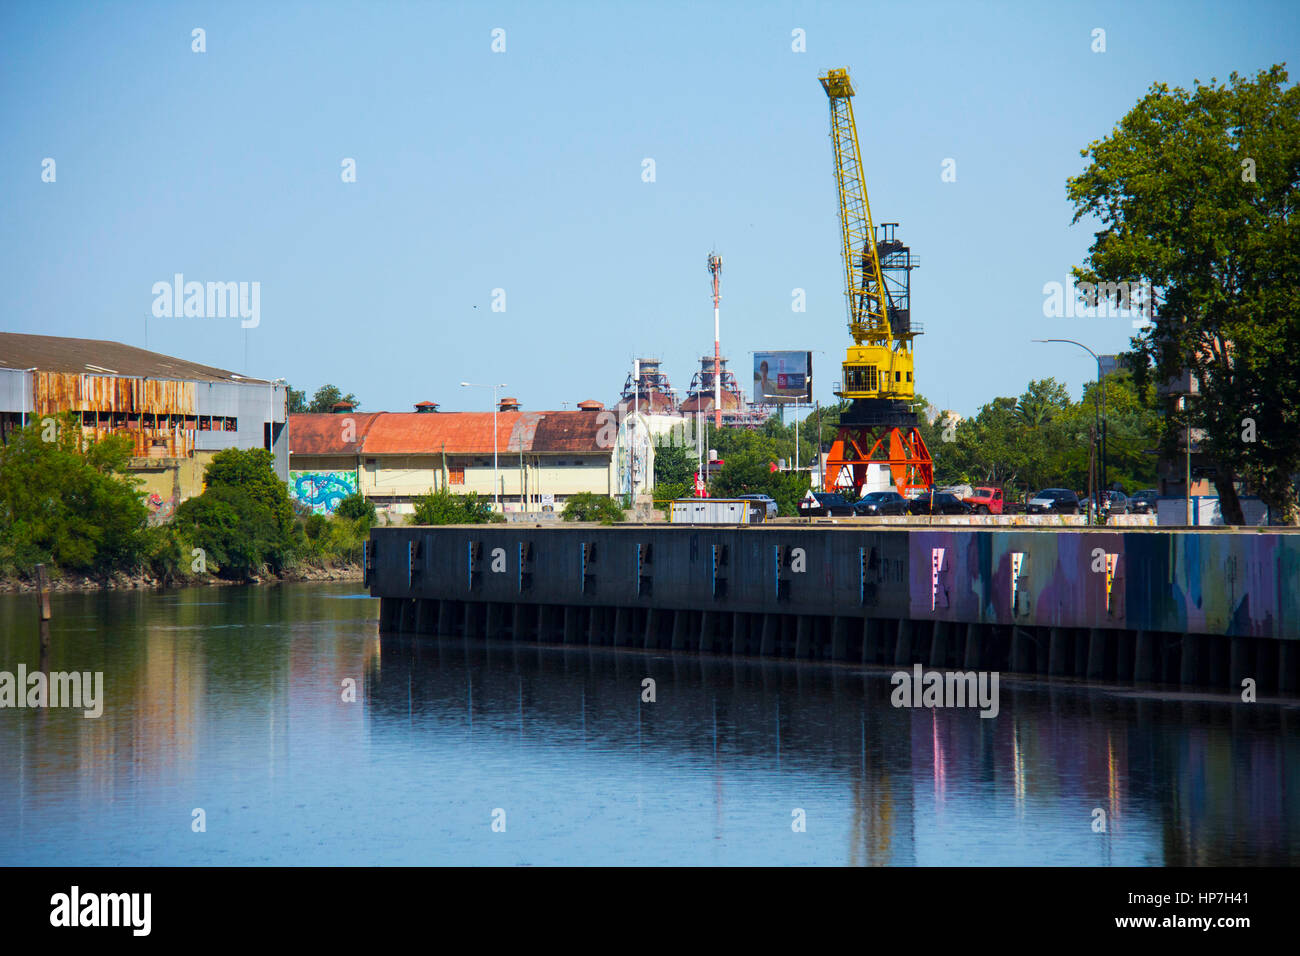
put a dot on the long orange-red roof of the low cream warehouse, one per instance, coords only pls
(465, 432)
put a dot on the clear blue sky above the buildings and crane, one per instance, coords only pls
(522, 171)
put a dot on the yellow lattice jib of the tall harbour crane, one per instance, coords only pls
(869, 318)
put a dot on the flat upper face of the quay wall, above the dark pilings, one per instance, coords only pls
(1241, 585)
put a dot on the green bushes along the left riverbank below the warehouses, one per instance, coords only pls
(73, 505)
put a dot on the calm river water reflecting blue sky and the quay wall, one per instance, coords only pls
(231, 702)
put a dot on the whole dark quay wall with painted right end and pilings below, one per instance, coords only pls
(1194, 608)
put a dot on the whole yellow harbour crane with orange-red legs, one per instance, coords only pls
(881, 426)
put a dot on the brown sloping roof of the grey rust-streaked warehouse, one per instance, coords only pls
(101, 357)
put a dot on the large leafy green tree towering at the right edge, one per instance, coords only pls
(1197, 197)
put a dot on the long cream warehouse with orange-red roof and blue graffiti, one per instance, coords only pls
(541, 457)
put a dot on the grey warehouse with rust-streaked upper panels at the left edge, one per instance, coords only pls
(179, 414)
